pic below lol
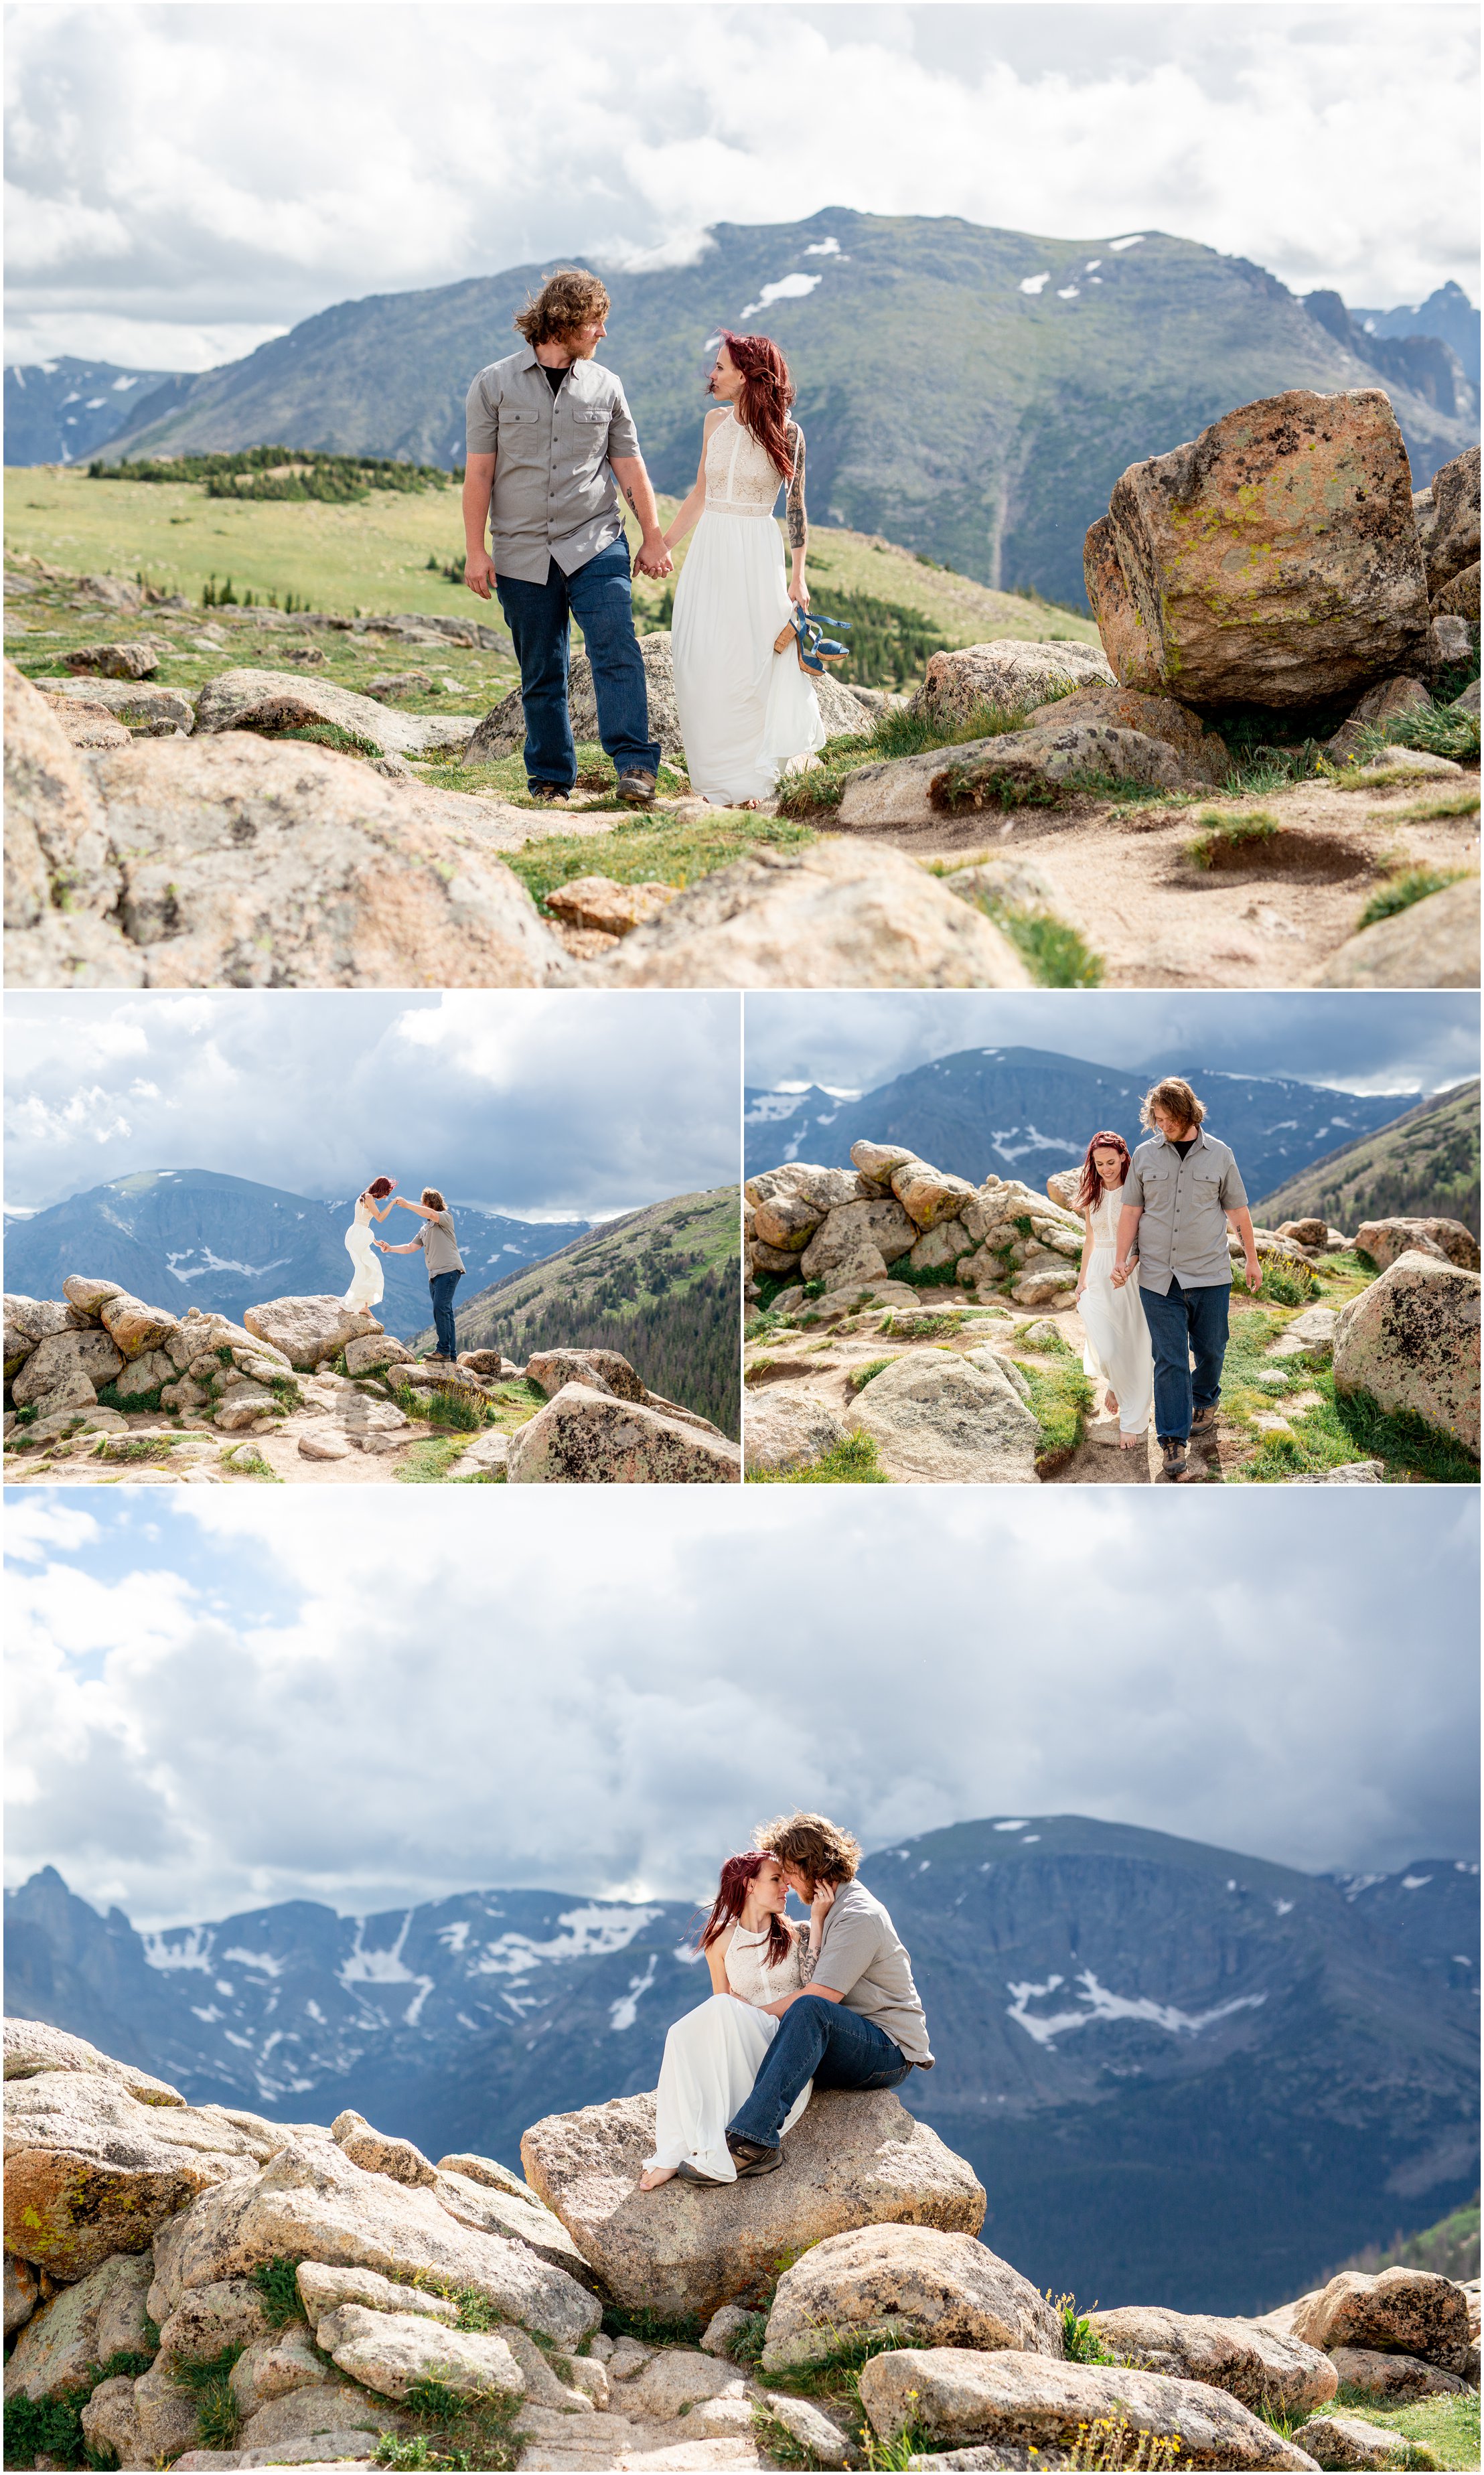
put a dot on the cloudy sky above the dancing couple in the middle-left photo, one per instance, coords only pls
(535, 1105)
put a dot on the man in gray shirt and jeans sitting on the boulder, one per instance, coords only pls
(859, 2021)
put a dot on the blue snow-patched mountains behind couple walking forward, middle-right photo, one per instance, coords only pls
(1025, 1113)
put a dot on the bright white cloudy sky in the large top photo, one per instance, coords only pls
(192, 179)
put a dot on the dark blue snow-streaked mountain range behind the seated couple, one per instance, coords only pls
(1181, 2075)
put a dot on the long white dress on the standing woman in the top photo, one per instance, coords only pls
(746, 712)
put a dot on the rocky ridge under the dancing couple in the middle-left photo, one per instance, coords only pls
(105, 1387)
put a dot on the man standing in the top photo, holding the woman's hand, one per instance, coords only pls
(550, 444)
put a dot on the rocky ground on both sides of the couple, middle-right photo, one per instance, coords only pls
(951, 1382)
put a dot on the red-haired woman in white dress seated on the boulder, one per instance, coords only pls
(714, 2053)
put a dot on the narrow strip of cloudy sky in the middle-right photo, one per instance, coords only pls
(1357, 1043)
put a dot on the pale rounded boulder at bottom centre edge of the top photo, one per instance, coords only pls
(832, 915)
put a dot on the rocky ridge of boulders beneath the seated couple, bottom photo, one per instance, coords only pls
(219, 2291)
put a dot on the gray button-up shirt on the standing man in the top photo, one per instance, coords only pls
(555, 491)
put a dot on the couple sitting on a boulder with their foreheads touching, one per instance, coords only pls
(793, 2008)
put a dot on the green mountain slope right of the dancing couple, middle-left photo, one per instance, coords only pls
(659, 1286)
